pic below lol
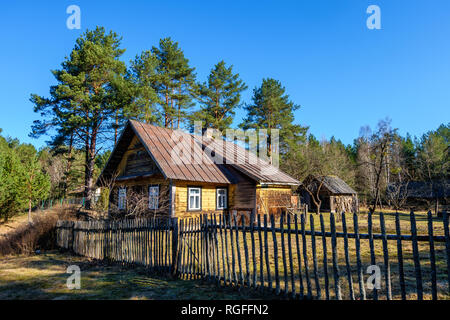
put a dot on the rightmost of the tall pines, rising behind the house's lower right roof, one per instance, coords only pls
(271, 109)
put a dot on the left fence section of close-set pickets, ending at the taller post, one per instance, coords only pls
(149, 242)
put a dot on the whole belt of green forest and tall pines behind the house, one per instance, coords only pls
(96, 92)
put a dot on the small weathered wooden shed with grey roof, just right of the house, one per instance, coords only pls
(335, 195)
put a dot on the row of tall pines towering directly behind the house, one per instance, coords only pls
(96, 93)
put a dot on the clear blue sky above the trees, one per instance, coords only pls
(342, 74)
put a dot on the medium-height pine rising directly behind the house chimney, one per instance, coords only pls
(219, 97)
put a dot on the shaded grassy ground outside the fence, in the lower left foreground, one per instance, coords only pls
(44, 276)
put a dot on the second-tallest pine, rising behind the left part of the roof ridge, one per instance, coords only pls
(174, 82)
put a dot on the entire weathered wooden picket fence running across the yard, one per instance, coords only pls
(292, 255)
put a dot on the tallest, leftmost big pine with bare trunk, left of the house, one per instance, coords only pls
(81, 102)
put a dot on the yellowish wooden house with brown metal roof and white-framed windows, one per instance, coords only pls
(179, 174)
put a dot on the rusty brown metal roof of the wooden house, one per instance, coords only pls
(182, 156)
